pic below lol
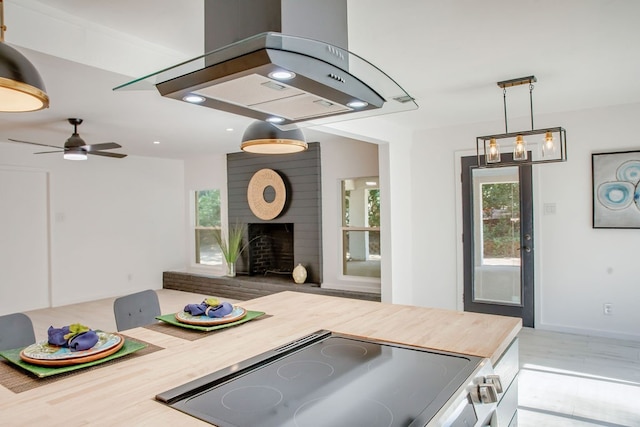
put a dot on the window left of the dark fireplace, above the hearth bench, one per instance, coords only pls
(207, 220)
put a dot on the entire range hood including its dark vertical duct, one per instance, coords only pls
(247, 48)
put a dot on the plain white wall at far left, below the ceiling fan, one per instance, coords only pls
(114, 225)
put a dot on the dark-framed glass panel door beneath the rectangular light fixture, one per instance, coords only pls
(498, 240)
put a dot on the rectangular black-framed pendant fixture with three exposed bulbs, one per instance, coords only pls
(552, 147)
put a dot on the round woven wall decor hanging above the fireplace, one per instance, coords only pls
(259, 182)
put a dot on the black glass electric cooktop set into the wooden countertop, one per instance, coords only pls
(327, 379)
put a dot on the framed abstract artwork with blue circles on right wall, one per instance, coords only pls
(616, 189)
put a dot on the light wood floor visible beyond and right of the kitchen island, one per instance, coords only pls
(565, 380)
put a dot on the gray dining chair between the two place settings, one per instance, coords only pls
(137, 309)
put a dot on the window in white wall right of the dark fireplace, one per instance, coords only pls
(361, 227)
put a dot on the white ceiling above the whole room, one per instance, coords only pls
(448, 54)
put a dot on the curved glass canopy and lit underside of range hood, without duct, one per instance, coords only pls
(284, 79)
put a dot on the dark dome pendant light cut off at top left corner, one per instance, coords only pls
(21, 87)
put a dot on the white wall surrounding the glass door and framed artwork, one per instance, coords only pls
(578, 268)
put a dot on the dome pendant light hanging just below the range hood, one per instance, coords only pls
(265, 138)
